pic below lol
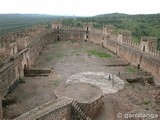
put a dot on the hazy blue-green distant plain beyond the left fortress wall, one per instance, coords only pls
(13, 22)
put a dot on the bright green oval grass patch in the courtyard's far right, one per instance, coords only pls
(99, 54)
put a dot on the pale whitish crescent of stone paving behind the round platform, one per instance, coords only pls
(107, 82)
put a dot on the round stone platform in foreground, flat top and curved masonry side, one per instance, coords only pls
(89, 97)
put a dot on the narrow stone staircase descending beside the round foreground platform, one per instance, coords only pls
(80, 111)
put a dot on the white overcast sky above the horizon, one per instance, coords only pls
(80, 7)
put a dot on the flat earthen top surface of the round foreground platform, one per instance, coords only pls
(82, 92)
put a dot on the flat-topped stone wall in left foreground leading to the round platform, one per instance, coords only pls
(53, 110)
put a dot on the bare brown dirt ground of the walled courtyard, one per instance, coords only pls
(66, 58)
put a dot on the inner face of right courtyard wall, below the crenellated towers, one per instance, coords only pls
(135, 56)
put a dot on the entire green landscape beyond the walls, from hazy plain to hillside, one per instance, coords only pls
(139, 25)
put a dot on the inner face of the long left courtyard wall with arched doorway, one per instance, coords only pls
(12, 68)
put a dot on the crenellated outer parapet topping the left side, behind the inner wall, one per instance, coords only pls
(11, 43)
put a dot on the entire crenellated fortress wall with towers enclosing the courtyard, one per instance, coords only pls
(19, 50)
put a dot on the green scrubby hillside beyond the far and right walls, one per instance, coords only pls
(139, 25)
